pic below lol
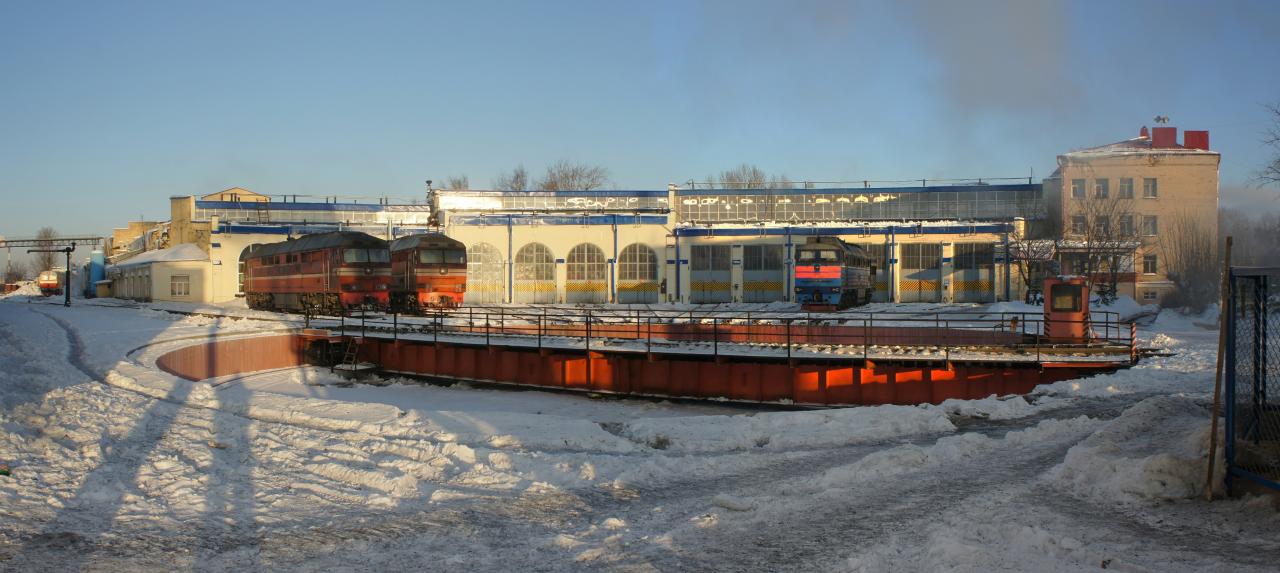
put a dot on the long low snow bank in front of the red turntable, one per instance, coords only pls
(788, 430)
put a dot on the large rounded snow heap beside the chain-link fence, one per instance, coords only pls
(1155, 451)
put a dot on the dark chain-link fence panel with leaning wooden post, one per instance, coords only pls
(1252, 365)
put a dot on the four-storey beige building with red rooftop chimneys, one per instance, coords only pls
(1123, 210)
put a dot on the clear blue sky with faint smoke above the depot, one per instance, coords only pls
(111, 108)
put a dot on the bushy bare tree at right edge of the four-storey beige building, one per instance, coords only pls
(1190, 258)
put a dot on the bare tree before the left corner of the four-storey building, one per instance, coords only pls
(1100, 240)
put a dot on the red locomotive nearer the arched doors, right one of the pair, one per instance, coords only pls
(429, 271)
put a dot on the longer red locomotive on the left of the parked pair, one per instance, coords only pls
(327, 273)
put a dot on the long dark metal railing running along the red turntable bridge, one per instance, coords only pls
(944, 334)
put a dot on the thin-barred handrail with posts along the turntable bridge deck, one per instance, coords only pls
(945, 332)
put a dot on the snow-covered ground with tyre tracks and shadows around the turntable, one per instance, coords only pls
(117, 466)
